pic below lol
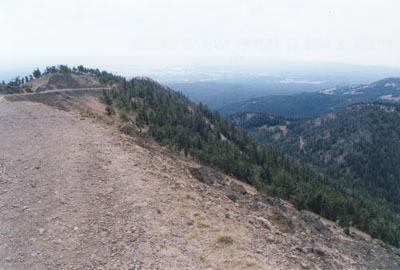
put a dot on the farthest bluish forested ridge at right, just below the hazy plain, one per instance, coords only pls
(316, 104)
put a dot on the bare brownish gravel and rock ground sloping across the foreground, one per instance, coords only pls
(79, 194)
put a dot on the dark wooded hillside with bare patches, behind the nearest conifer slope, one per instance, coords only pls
(358, 145)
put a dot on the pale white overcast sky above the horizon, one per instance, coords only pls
(177, 32)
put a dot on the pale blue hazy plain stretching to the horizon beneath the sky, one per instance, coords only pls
(220, 85)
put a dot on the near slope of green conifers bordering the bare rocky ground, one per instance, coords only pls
(176, 122)
